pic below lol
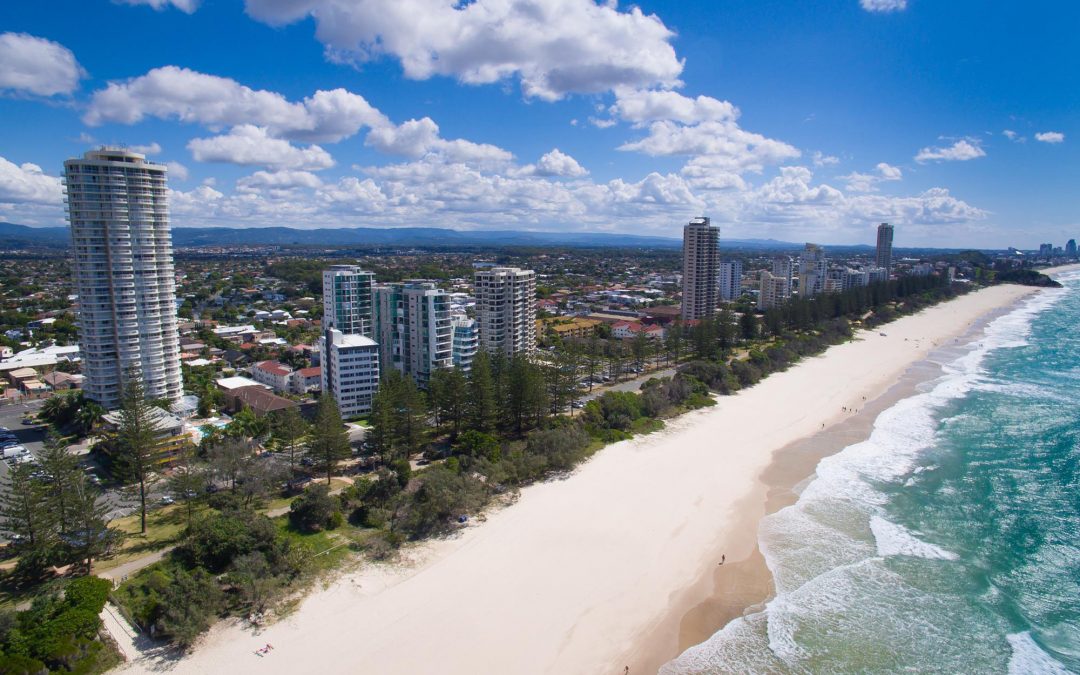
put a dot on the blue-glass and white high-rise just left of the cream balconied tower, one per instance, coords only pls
(413, 329)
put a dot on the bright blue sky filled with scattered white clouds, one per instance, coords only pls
(954, 120)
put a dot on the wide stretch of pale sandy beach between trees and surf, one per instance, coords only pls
(607, 569)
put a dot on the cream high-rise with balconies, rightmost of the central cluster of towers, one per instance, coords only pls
(507, 309)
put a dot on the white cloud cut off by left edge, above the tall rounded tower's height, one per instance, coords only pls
(31, 65)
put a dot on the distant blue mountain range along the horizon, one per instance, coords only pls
(20, 237)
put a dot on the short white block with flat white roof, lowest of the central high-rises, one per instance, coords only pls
(350, 371)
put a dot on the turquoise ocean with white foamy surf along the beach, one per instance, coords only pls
(950, 541)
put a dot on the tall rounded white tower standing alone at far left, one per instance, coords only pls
(118, 208)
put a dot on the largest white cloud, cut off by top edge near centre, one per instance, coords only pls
(553, 47)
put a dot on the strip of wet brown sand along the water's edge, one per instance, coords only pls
(745, 586)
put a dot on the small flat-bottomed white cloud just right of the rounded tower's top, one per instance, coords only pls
(250, 145)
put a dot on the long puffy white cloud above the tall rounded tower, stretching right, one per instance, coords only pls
(195, 98)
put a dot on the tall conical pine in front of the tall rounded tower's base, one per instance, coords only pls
(137, 440)
